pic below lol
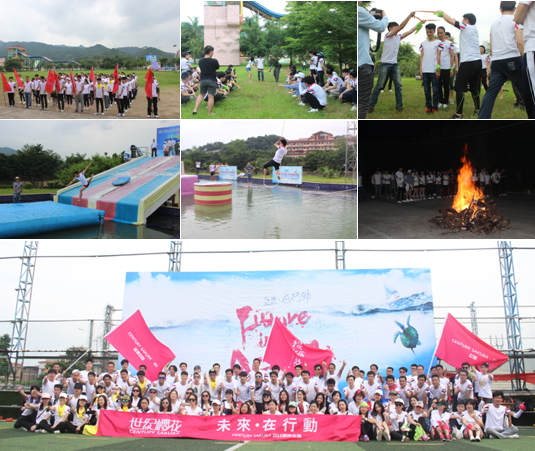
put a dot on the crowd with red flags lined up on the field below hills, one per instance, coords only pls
(82, 93)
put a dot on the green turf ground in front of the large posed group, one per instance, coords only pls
(11, 440)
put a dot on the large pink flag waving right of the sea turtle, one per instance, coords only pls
(457, 345)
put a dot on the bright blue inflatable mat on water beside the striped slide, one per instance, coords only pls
(23, 220)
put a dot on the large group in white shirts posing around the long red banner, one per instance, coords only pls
(414, 406)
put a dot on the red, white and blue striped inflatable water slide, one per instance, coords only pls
(152, 182)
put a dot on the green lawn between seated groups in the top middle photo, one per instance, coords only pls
(266, 100)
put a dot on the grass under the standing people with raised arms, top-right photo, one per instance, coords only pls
(414, 104)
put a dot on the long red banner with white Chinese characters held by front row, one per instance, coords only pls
(310, 428)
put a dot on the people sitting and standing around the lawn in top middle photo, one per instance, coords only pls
(313, 88)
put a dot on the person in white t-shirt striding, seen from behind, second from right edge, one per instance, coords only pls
(506, 48)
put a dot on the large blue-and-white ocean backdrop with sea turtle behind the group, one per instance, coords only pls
(364, 316)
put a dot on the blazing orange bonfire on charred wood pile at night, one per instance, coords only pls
(471, 211)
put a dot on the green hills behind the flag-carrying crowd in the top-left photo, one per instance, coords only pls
(63, 52)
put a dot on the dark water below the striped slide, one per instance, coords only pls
(164, 229)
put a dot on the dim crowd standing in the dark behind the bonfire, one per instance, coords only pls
(410, 186)
